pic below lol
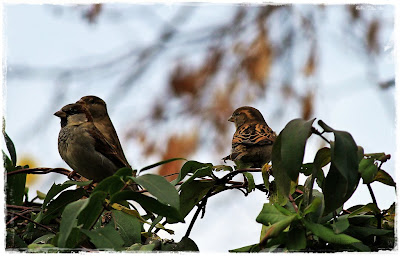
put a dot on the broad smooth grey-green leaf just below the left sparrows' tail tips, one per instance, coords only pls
(159, 187)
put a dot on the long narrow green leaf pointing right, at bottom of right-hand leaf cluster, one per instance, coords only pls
(328, 235)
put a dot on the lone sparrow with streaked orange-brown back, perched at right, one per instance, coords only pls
(253, 139)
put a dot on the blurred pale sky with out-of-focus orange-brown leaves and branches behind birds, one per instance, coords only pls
(173, 74)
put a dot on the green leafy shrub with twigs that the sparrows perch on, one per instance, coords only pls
(76, 215)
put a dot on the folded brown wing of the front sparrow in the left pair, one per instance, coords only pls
(105, 148)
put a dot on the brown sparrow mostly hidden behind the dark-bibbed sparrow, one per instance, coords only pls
(98, 109)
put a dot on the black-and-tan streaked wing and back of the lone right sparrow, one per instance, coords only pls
(253, 134)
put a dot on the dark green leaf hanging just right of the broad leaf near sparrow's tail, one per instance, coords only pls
(192, 194)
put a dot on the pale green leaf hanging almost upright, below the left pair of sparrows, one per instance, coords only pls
(69, 220)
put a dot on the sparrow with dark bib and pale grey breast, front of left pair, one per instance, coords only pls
(83, 147)
